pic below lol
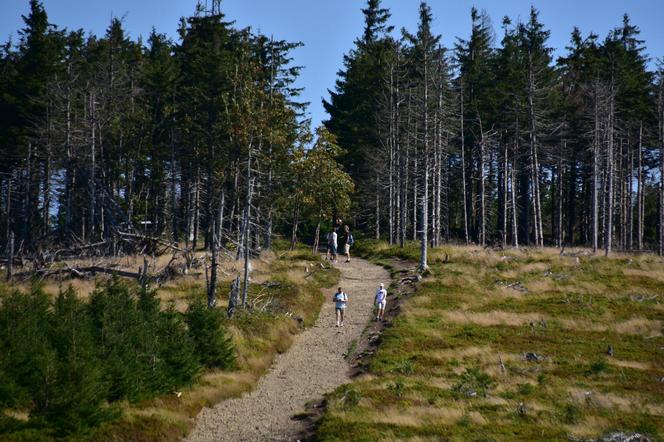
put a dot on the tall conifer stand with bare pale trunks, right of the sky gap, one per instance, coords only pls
(495, 142)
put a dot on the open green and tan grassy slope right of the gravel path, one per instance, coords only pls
(514, 345)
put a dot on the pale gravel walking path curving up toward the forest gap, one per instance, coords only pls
(313, 366)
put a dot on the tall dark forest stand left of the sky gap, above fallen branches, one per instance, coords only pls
(106, 139)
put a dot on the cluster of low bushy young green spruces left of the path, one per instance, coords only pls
(67, 363)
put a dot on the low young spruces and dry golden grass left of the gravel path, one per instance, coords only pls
(125, 365)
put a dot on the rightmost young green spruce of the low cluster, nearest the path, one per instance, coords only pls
(213, 347)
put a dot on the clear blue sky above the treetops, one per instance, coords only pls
(328, 28)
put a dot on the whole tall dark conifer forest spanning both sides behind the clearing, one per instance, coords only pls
(491, 141)
